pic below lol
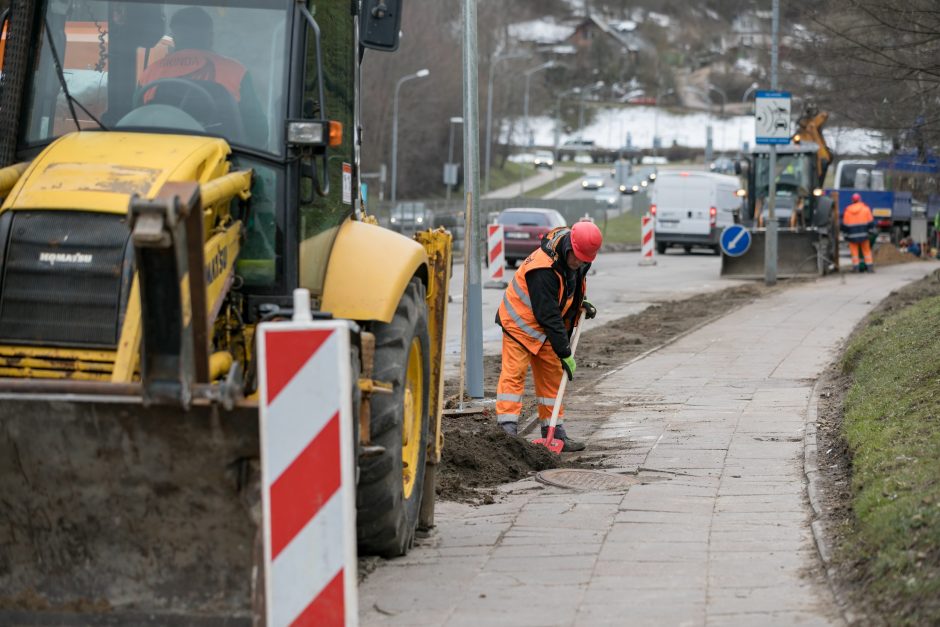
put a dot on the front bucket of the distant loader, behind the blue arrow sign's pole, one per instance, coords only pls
(797, 255)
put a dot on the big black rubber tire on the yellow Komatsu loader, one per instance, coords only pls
(386, 520)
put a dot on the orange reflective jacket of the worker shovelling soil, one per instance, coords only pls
(515, 313)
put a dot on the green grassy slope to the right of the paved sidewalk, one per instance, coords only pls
(892, 425)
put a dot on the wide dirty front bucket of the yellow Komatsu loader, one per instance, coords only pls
(118, 514)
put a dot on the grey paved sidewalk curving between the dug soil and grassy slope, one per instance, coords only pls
(720, 532)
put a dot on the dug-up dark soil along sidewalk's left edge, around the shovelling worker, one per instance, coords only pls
(478, 456)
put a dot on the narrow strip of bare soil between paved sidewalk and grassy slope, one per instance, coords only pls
(835, 461)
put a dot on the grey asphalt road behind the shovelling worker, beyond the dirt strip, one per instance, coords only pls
(618, 287)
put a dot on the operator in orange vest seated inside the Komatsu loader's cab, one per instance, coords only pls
(192, 59)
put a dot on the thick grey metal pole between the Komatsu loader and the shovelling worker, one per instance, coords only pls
(474, 320)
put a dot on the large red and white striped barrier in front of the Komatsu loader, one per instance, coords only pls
(308, 476)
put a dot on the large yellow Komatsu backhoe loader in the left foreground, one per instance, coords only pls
(169, 174)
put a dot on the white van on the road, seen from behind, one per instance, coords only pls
(691, 208)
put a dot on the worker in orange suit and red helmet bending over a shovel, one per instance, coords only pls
(539, 309)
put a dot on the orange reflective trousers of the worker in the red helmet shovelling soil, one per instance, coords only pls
(546, 372)
